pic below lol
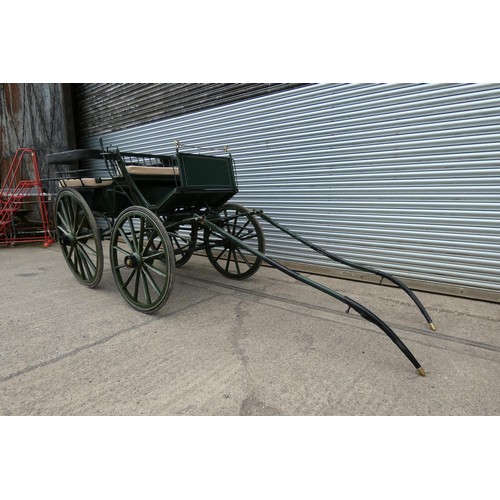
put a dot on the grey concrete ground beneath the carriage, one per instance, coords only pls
(264, 346)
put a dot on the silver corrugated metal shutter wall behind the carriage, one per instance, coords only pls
(403, 177)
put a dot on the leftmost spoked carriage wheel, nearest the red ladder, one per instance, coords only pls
(79, 237)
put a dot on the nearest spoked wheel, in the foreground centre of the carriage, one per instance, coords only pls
(142, 259)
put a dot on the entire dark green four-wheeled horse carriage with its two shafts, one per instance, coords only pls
(157, 211)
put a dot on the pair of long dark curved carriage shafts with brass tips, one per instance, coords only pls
(352, 304)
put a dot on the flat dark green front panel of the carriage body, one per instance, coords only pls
(206, 172)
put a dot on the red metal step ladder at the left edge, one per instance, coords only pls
(18, 197)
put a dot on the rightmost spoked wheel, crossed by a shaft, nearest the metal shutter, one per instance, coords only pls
(229, 258)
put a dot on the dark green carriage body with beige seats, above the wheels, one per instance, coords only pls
(165, 184)
